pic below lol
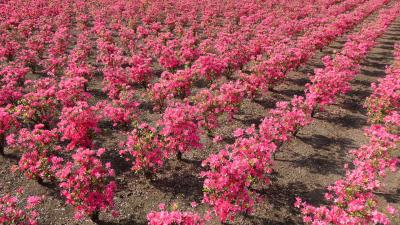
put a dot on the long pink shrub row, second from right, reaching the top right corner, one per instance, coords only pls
(235, 171)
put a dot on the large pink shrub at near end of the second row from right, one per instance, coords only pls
(233, 173)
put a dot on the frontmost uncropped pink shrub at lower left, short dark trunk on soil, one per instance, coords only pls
(86, 183)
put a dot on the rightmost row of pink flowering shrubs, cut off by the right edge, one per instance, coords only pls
(353, 199)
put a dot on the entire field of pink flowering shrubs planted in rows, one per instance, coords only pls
(163, 78)
